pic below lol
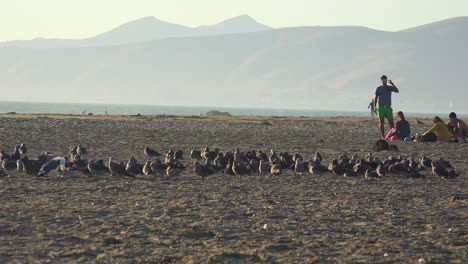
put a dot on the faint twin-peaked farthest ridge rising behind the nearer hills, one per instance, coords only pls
(142, 30)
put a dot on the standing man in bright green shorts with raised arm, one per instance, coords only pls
(383, 96)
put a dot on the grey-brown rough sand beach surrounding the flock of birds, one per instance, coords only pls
(284, 219)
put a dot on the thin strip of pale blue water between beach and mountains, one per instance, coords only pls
(116, 109)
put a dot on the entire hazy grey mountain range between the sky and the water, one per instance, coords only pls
(243, 63)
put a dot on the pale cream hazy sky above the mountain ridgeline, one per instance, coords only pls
(26, 19)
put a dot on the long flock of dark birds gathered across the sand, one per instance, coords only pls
(209, 162)
